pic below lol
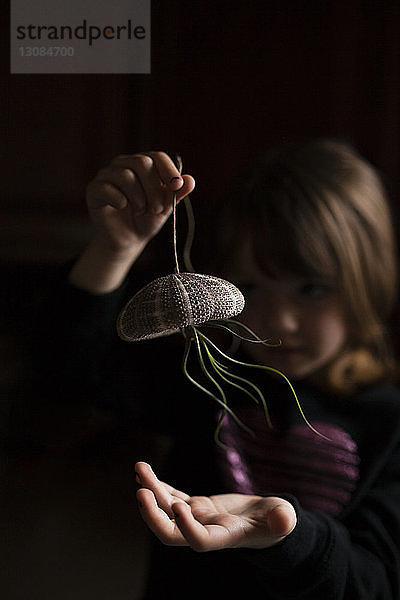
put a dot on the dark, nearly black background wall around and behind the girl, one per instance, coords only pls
(228, 80)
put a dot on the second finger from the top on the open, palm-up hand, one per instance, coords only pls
(158, 521)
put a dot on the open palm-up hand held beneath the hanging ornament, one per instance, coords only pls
(211, 522)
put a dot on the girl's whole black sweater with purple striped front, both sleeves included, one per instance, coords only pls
(346, 491)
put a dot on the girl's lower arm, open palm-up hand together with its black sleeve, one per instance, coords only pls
(294, 553)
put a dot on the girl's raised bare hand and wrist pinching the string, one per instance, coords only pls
(129, 201)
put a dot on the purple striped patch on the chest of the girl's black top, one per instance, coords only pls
(320, 473)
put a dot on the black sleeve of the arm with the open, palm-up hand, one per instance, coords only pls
(353, 559)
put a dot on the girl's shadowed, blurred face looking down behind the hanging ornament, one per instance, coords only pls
(306, 314)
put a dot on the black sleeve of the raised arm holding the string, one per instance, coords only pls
(79, 358)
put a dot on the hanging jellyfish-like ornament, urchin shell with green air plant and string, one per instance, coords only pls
(185, 302)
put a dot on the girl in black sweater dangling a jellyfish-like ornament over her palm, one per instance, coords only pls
(307, 235)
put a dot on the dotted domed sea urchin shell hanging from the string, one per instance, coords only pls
(175, 301)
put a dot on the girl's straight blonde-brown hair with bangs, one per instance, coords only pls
(319, 208)
